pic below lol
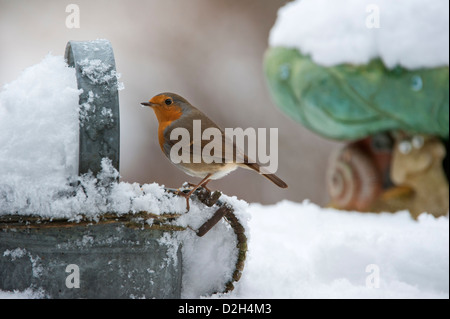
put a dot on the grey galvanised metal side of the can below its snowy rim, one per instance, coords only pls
(112, 260)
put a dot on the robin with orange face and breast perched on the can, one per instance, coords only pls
(173, 111)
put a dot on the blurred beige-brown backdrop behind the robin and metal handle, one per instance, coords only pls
(210, 52)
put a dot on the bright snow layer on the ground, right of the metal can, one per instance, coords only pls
(300, 250)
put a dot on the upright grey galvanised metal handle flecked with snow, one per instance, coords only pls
(99, 103)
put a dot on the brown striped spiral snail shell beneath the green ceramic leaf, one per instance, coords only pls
(353, 179)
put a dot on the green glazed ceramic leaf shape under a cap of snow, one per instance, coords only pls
(348, 102)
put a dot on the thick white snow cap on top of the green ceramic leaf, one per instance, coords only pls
(411, 33)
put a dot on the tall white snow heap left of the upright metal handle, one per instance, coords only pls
(38, 134)
